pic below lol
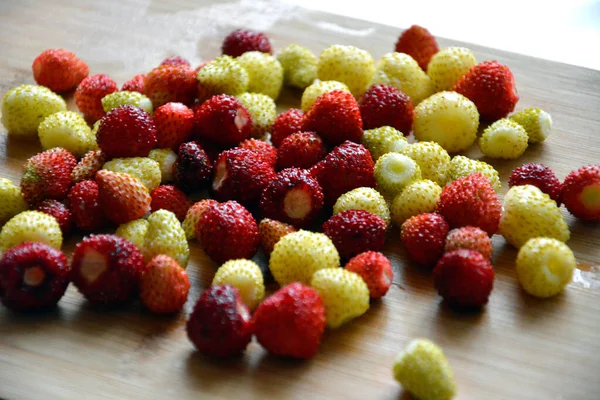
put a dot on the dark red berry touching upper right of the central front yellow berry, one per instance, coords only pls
(355, 231)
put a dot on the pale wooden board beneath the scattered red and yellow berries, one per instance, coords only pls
(518, 347)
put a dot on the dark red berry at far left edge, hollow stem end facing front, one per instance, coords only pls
(33, 276)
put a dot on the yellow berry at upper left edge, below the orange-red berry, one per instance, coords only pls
(26, 106)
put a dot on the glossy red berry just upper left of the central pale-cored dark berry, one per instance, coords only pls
(241, 175)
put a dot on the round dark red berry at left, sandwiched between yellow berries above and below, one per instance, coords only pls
(126, 131)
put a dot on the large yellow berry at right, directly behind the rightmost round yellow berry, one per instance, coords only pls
(530, 213)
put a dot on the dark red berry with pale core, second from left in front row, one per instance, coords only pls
(106, 269)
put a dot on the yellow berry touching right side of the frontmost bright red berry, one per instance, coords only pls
(345, 294)
